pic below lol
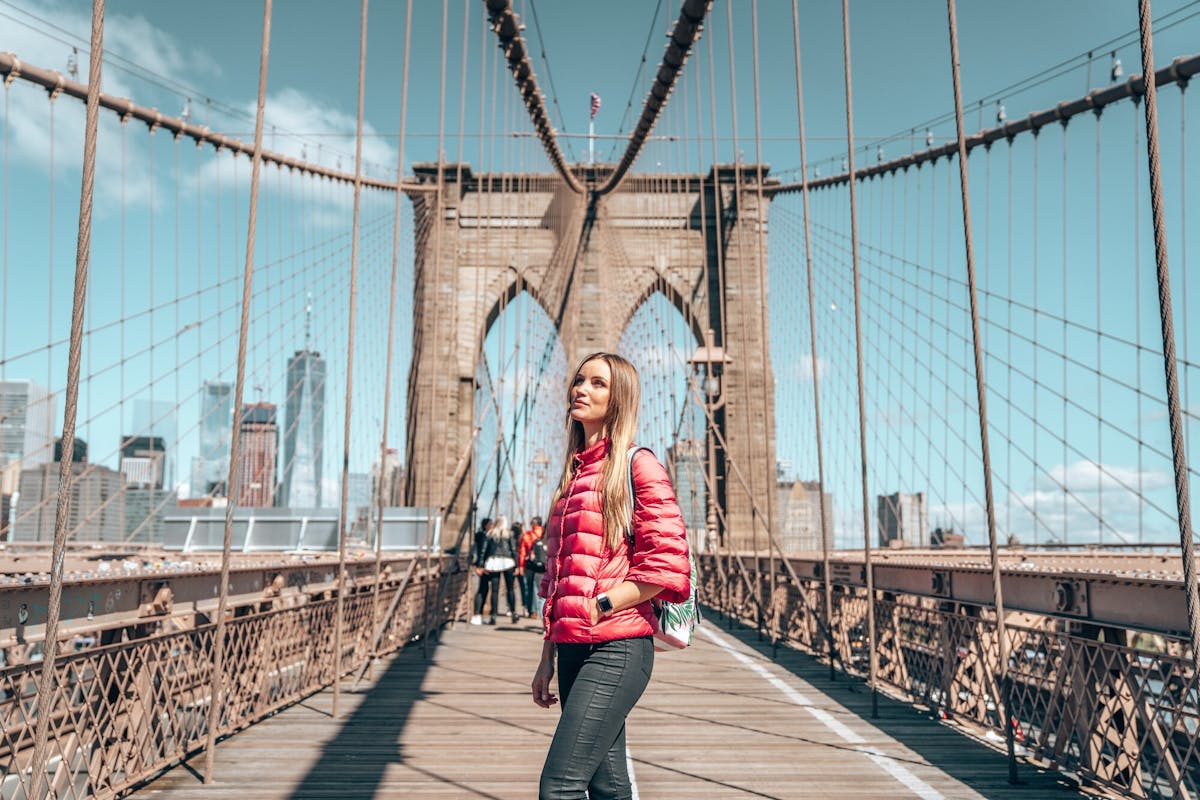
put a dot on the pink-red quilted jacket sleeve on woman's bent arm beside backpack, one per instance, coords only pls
(661, 539)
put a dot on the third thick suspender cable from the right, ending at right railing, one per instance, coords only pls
(873, 660)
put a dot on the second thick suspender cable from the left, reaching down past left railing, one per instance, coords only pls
(239, 389)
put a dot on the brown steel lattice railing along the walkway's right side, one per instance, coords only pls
(1082, 699)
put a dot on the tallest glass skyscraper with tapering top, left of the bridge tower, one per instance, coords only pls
(305, 434)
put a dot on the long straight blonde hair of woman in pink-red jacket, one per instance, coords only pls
(620, 425)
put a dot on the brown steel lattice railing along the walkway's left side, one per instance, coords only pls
(139, 702)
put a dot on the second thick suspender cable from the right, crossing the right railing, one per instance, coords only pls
(1003, 702)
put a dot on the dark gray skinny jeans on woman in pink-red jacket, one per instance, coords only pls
(598, 687)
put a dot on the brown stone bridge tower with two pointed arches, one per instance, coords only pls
(591, 262)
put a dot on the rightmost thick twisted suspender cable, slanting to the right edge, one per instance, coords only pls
(1168, 323)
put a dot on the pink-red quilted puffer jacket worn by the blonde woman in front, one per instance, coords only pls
(580, 566)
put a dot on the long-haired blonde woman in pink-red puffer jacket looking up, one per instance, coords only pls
(598, 585)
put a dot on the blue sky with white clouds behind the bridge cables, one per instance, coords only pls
(205, 57)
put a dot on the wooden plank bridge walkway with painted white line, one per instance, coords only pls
(722, 720)
